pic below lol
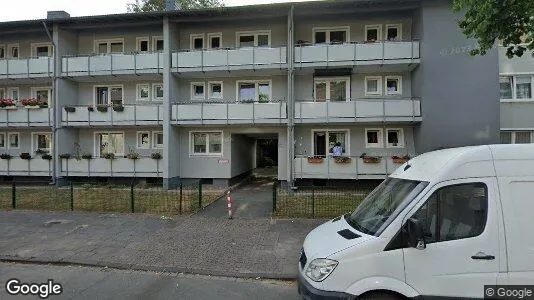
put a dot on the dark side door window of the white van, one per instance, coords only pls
(454, 212)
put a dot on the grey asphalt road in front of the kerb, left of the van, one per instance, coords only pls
(101, 283)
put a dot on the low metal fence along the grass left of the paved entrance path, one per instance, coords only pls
(188, 198)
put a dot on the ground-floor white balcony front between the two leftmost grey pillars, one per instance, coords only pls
(118, 167)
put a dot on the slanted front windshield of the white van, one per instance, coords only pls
(383, 205)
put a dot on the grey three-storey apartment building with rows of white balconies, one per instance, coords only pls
(191, 94)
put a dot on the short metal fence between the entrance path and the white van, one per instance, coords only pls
(315, 201)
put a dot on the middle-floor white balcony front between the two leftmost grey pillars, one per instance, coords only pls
(83, 115)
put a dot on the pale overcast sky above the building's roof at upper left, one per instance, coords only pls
(13, 10)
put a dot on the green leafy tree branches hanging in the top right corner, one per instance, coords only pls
(509, 21)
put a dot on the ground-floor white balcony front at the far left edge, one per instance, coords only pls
(17, 166)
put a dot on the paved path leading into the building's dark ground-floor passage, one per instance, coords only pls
(252, 200)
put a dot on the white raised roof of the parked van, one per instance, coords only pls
(463, 162)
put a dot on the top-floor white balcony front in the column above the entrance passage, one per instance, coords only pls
(229, 59)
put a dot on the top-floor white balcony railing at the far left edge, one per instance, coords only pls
(26, 67)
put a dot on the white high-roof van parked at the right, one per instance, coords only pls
(444, 224)
